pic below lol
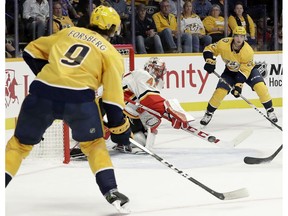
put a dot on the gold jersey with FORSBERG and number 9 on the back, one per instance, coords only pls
(80, 59)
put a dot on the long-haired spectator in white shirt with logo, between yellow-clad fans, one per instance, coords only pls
(192, 26)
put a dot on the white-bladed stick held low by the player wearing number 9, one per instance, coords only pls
(236, 194)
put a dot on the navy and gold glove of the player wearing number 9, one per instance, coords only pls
(122, 133)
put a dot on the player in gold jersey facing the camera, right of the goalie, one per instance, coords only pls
(239, 69)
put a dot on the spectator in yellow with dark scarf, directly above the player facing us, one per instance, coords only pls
(241, 18)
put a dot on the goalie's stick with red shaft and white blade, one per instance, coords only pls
(198, 132)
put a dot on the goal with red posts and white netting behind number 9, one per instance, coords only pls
(57, 140)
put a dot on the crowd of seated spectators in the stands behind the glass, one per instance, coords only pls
(156, 26)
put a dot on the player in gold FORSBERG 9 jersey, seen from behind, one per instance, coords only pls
(69, 66)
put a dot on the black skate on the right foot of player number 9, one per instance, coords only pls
(118, 200)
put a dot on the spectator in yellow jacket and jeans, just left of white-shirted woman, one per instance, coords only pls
(166, 25)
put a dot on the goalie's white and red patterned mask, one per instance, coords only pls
(155, 67)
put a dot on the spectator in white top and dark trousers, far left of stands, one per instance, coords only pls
(35, 14)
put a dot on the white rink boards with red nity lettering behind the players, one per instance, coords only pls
(192, 86)
